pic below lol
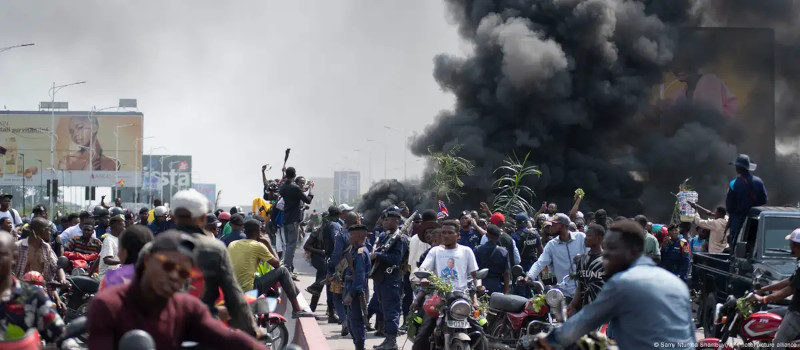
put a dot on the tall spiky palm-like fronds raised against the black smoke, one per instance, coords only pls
(512, 196)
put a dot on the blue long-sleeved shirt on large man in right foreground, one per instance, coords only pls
(644, 304)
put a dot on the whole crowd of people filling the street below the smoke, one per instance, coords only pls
(607, 268)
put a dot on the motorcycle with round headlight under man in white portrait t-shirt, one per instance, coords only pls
(457, 325)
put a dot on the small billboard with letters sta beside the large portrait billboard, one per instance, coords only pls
(166, 174)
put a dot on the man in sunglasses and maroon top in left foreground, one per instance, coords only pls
(152, 302)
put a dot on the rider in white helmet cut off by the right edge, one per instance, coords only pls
(790, 326)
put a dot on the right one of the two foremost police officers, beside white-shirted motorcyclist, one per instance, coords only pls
(390, 249)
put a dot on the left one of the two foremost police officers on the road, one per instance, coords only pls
(355, 289)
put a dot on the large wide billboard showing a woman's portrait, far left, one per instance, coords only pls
(85, 152)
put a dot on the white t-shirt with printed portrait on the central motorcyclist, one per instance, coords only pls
(457, 264)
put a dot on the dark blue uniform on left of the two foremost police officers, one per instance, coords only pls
(356, 286)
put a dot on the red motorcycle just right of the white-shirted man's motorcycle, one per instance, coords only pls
(514, 320)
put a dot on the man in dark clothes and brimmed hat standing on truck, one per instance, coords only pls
(744, 192)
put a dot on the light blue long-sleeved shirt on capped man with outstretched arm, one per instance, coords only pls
(560, 256)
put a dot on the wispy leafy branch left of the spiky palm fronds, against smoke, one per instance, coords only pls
(448, 169)
